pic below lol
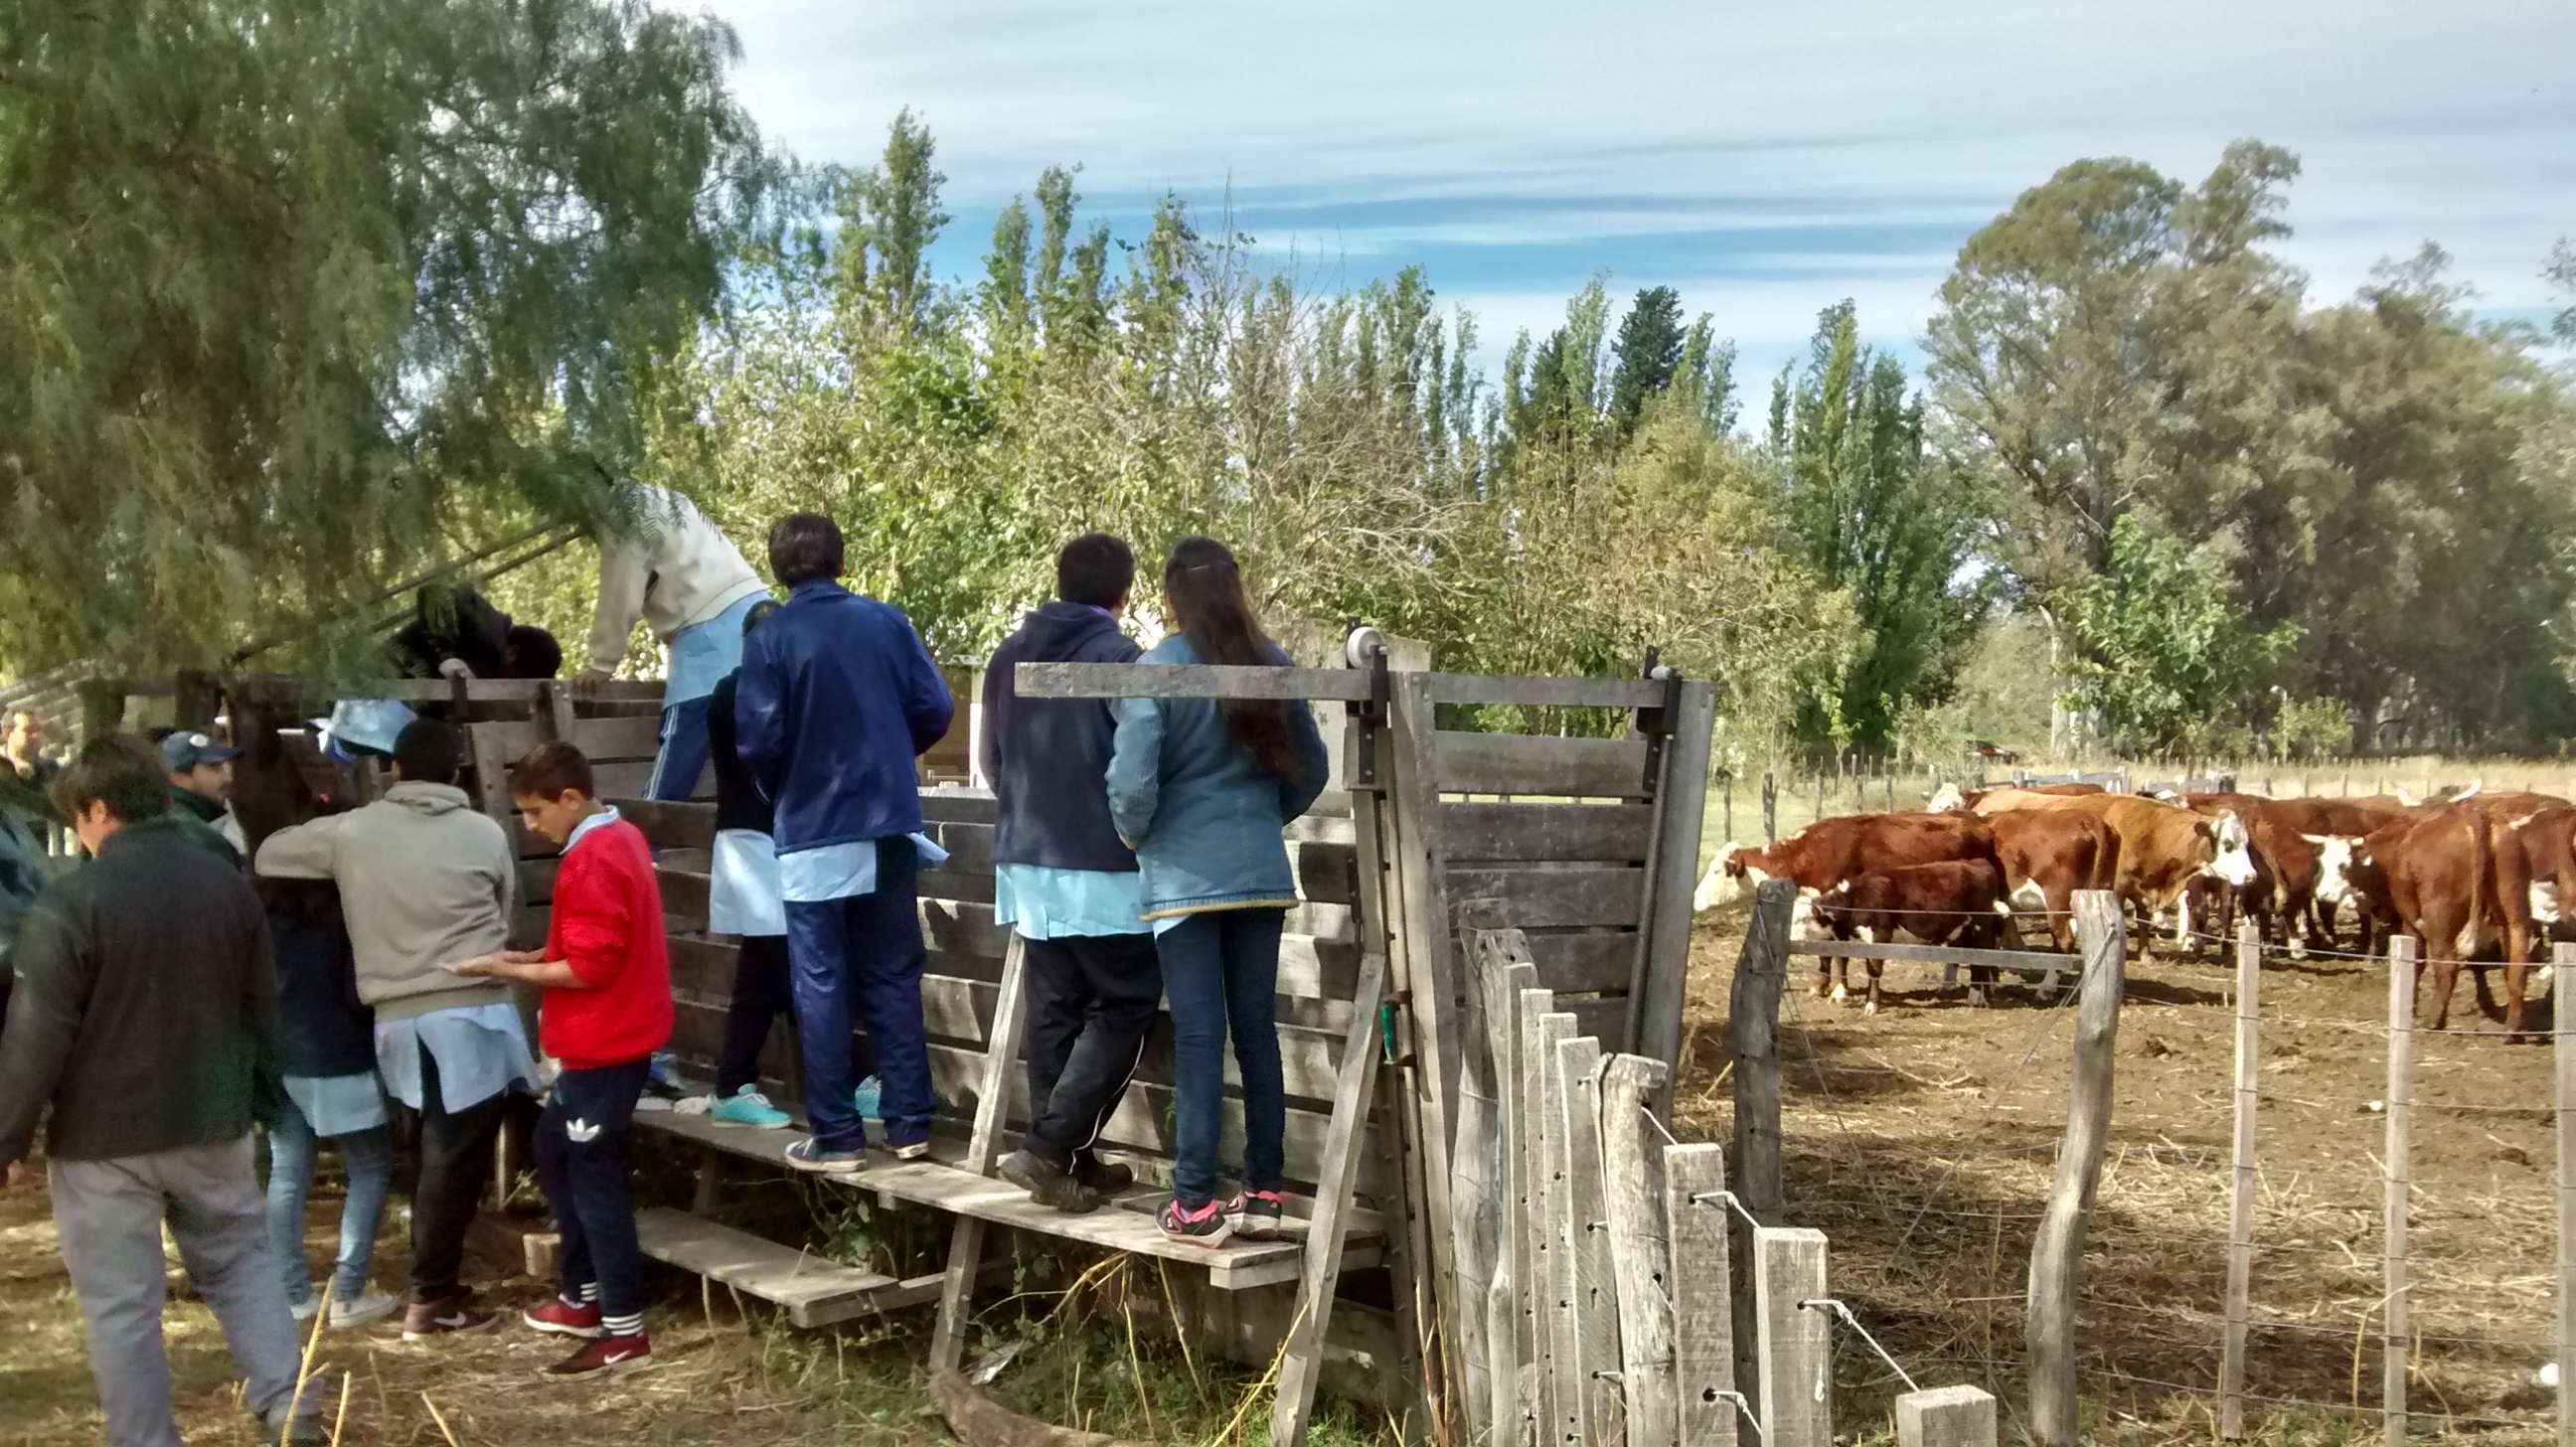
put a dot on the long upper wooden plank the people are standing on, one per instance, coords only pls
(1119, 1227)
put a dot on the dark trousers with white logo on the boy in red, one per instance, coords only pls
(586, 1183)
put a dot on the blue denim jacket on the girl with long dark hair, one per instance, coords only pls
(1199, 810)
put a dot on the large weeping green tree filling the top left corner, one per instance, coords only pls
(298, 295)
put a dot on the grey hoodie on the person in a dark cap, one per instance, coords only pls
(424, 884)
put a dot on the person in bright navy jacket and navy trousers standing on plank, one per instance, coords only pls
(838, 699)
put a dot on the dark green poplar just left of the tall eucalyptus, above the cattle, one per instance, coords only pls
(1877, 521)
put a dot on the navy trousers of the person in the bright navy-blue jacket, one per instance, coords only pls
(859, 962)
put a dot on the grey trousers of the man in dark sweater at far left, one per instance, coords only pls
(109, 1217)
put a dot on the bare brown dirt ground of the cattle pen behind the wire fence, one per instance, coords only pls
(1923, 1142)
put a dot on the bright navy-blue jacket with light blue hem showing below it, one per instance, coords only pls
(836, 702)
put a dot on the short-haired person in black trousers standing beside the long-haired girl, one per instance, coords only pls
(1068, 884)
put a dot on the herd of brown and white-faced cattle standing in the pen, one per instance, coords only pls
(2474, 879)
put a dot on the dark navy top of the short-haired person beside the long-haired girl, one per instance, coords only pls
(1050, 758)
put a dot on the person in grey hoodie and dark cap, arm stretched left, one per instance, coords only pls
(424, 882)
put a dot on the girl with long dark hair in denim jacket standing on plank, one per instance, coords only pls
(1202, 792)
